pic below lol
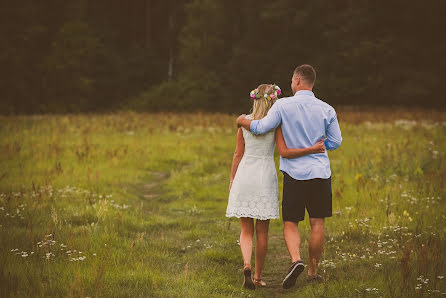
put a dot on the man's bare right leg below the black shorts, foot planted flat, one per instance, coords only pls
(316, 244)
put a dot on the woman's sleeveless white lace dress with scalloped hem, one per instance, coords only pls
(254, 192)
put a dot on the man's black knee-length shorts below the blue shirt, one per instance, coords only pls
(313, 195)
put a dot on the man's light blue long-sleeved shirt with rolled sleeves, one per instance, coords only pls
(305, 121)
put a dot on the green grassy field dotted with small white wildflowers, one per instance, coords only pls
(133, 204)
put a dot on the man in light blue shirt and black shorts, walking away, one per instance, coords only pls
(305, 120)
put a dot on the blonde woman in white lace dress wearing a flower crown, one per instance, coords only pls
(253, 189)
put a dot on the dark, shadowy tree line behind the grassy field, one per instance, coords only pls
(183, 55)
